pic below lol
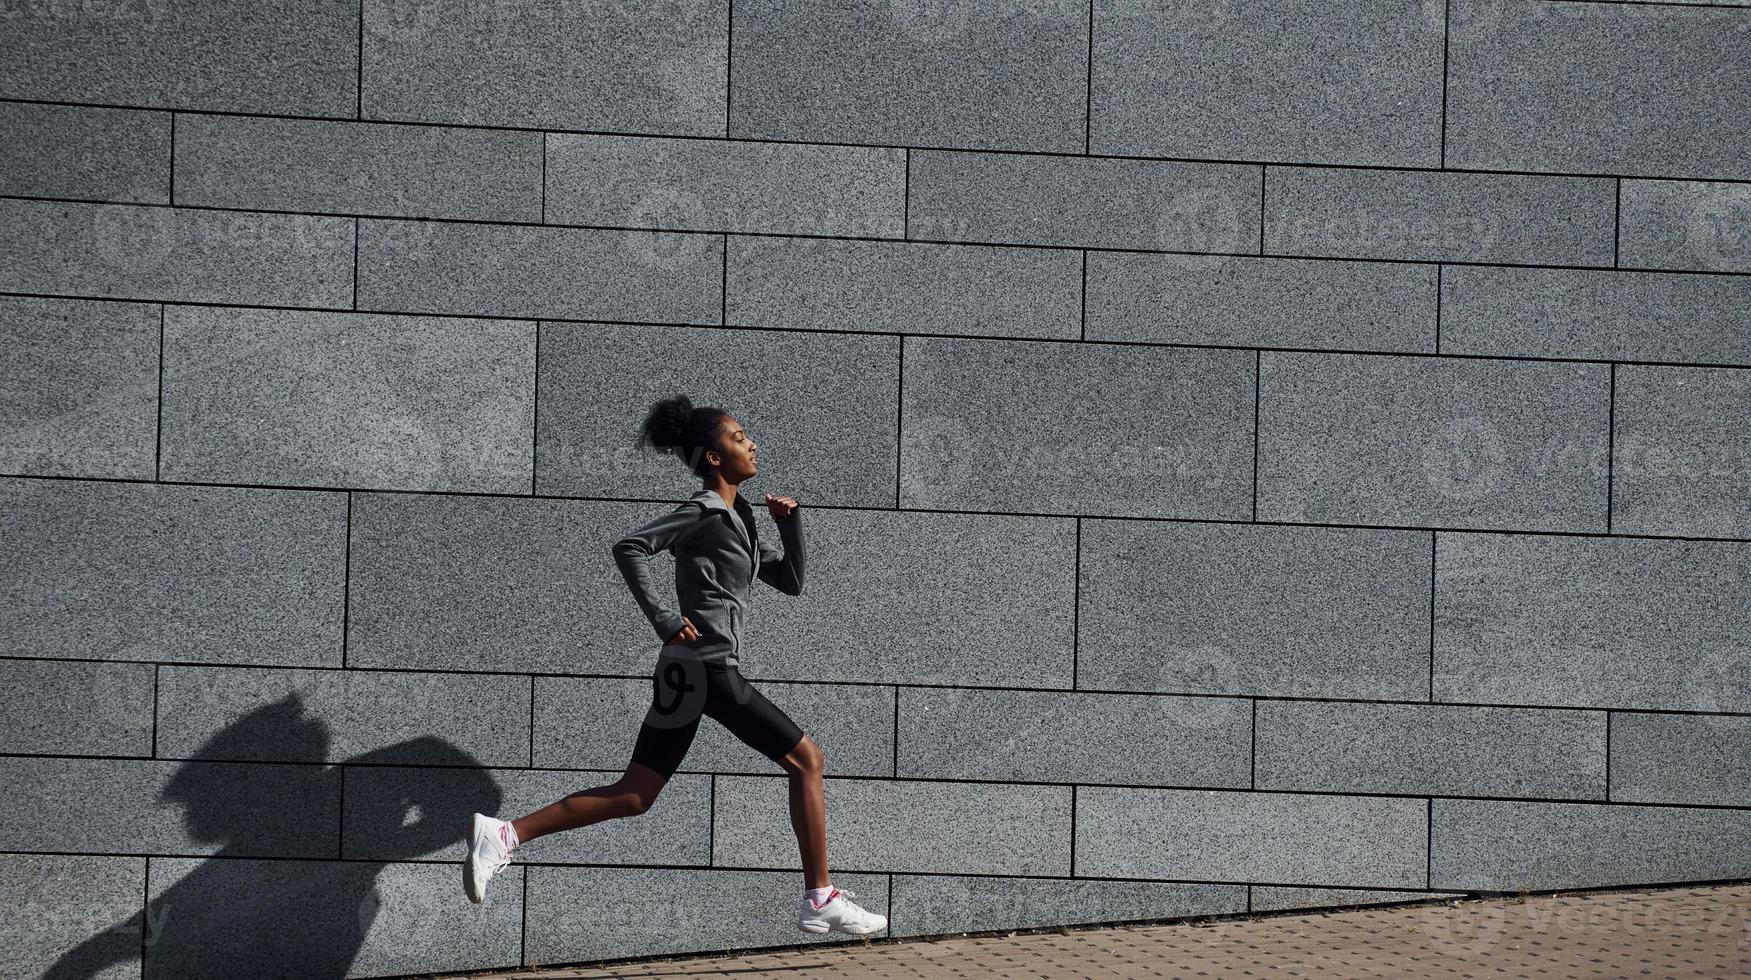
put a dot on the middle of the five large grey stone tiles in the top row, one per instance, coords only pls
(976, 76)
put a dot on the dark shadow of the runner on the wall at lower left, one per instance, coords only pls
(234, 916)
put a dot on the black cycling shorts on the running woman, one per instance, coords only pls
(684, 689)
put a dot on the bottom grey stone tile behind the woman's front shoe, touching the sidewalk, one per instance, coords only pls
(589, 914)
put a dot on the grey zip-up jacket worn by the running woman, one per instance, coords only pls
(717, 556)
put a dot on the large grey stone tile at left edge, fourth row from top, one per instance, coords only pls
(80, 388)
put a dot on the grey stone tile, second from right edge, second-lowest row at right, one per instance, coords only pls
(1431, 750)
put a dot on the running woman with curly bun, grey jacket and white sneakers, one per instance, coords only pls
(717, 557)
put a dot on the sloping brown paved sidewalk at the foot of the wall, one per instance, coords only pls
(1675, 932)
